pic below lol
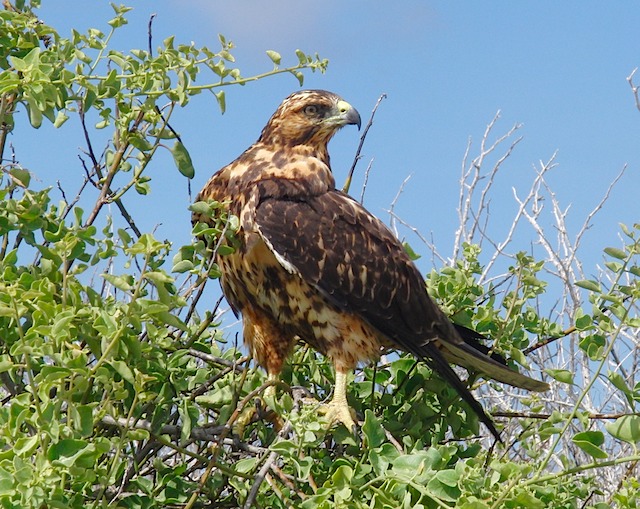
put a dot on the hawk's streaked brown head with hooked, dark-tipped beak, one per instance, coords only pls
(308, 117)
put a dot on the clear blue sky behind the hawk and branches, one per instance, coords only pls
(559, 68)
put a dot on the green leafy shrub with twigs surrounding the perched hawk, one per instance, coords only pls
(119, 388)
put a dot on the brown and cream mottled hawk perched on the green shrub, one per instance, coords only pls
(313, 264)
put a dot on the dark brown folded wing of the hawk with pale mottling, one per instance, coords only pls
(355, 261)
